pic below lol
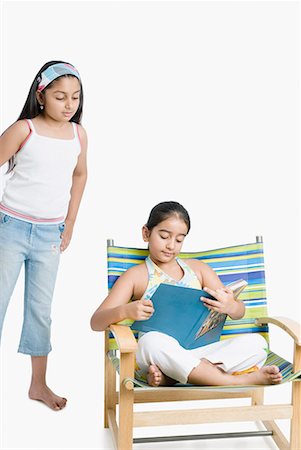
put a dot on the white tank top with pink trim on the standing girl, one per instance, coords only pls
(39, 189)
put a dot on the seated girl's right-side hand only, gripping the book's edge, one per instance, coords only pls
(225, 302)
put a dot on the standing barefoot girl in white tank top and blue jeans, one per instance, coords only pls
(46, 154)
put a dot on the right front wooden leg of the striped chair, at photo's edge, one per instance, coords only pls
(295, 441)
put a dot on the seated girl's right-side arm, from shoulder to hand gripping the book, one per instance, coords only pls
(225, 301)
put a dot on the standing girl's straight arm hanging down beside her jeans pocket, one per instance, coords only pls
(79, 179)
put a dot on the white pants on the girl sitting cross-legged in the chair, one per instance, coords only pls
(233, 355)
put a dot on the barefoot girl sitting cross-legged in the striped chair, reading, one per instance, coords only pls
(160, 357)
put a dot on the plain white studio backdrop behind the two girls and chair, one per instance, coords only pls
(196, 102)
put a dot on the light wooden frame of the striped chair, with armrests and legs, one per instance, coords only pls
(127, 395)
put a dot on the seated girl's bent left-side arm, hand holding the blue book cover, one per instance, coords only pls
(116, 306)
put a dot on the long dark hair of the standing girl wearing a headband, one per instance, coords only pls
(32, 109)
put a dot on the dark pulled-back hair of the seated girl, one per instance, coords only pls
(164, 210)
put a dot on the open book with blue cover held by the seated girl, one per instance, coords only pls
(180, 313)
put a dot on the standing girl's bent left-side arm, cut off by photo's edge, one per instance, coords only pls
(11, 140)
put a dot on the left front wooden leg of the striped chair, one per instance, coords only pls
(126, 403)
